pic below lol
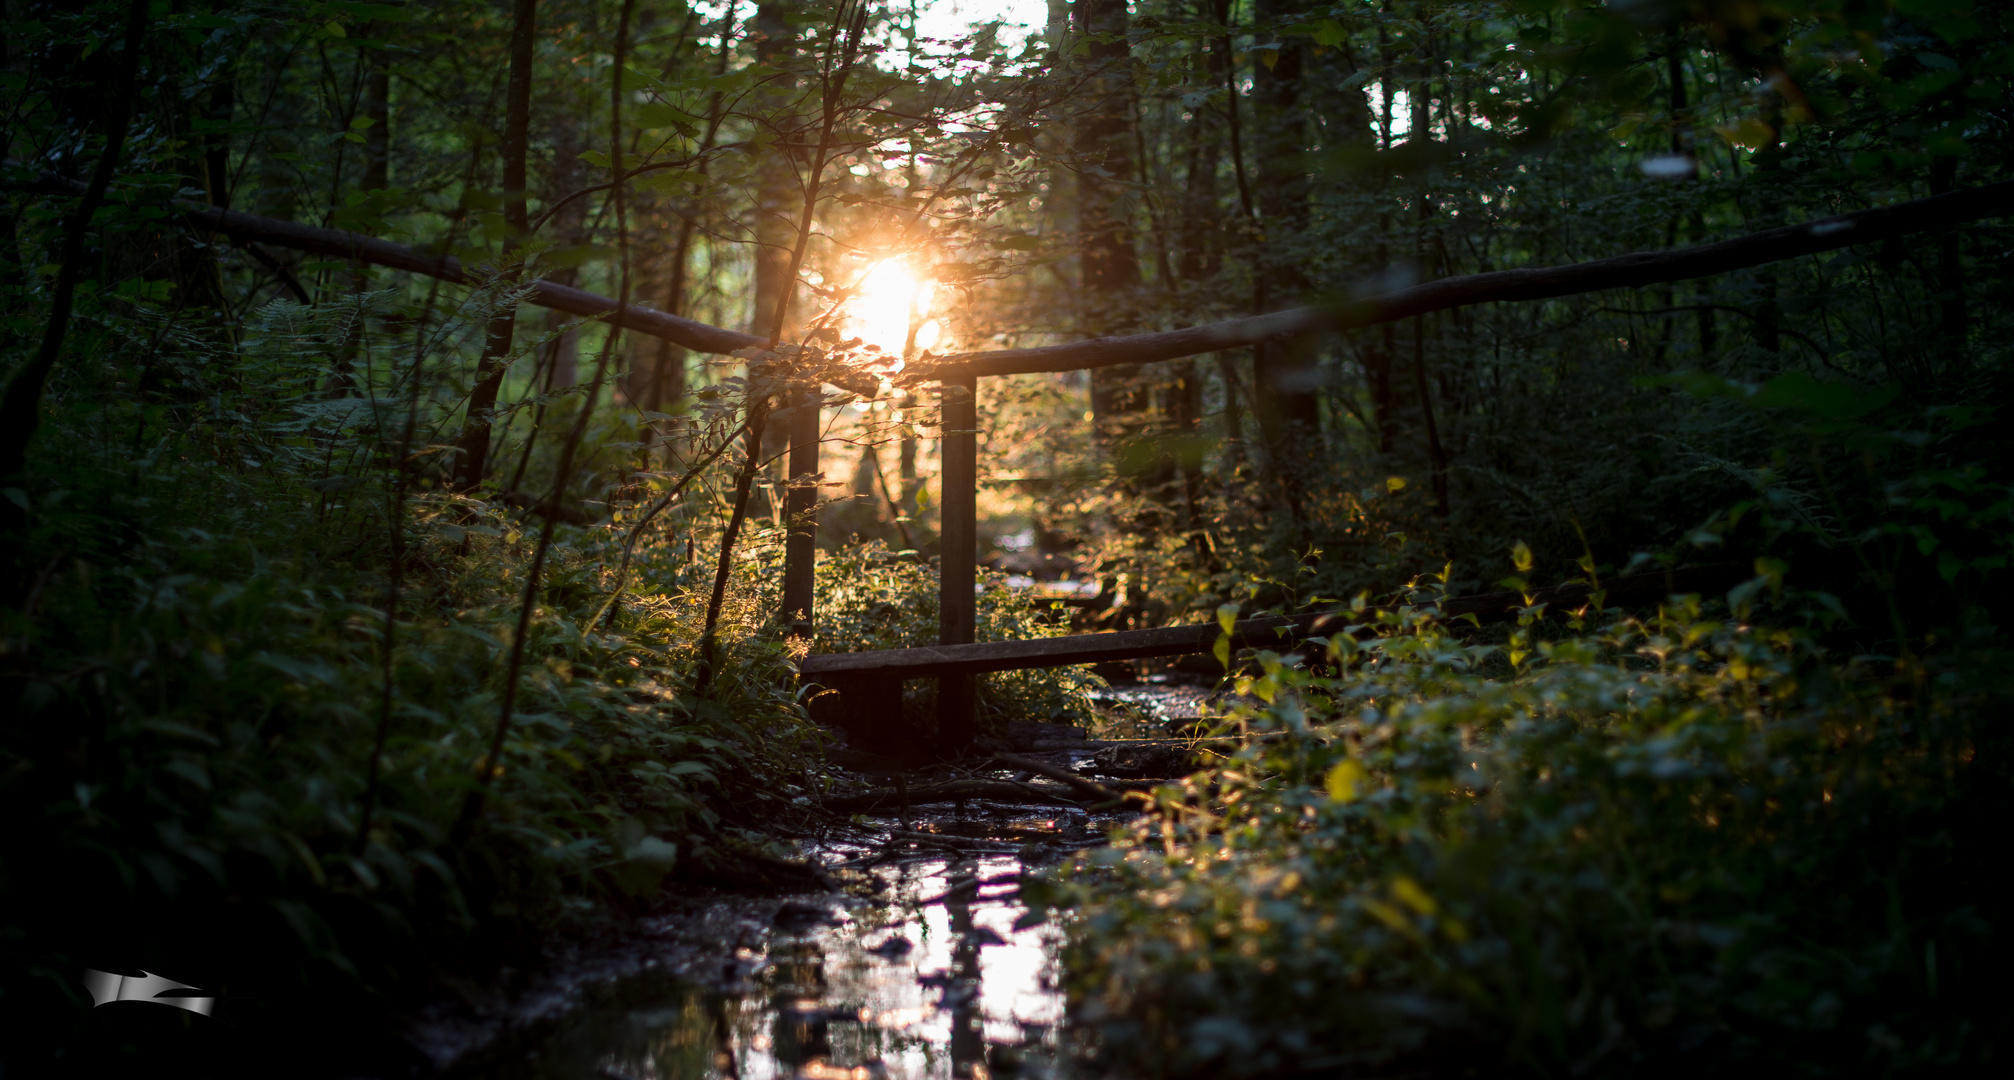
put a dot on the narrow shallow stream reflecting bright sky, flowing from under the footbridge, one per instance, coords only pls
(927, 972)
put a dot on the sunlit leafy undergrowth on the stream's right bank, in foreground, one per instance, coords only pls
(1663, 847)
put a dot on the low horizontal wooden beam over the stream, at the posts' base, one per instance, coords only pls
(1278, 632)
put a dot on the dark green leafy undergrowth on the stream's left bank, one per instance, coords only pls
(198, 672)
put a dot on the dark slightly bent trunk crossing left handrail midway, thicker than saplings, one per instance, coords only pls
(474, 442)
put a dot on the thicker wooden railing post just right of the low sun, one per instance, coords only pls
(958, 555)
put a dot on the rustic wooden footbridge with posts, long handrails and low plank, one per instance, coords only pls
(869, 684)
